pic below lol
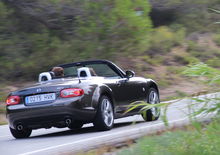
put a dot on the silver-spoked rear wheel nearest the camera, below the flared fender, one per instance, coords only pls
(104, 119)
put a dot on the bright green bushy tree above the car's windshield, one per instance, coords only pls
(110, 27)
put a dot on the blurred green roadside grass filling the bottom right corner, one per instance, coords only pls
(197, 141)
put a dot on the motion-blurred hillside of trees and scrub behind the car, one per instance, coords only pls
(155, 38)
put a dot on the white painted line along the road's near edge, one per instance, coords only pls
(93, 138)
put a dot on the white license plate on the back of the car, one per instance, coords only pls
(40, 98)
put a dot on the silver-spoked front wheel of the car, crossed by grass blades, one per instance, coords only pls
(154, 113)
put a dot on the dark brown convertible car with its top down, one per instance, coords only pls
(89, 91)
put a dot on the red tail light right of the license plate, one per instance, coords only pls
(71, 92)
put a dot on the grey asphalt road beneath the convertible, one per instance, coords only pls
(59, 141)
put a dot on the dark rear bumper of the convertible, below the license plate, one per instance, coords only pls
(48, 115)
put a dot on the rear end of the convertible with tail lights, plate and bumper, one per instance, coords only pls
(46, 106)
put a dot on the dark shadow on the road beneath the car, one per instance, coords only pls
(84, 130)
